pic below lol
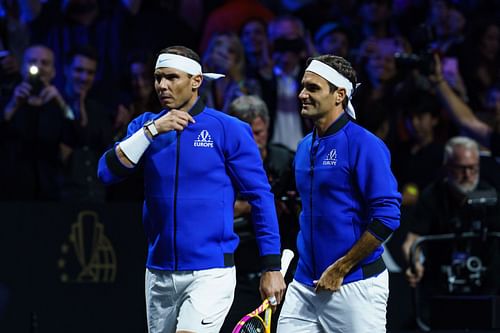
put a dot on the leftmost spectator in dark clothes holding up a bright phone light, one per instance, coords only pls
(35, 123)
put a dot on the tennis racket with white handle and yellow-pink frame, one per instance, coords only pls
(254, 322)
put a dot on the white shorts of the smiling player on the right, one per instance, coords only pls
(357, 307)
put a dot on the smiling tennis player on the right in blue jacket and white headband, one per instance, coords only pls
(350, 205)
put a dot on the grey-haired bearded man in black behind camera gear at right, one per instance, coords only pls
(442, 208)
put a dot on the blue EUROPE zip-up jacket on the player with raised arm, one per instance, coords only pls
(190, 180)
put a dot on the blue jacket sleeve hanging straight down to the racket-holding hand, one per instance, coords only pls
(246, 169)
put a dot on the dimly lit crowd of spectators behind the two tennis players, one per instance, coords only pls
(95, 59)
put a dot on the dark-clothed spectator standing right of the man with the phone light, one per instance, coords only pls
(92, 130)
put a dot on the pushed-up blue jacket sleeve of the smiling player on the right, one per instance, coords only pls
(378, 186)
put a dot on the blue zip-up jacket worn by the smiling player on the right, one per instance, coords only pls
(346, 185)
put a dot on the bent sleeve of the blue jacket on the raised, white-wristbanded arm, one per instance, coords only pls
(110, 170)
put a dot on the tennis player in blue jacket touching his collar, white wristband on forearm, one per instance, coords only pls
(195, 158)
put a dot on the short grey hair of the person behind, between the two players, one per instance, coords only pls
(248, 108)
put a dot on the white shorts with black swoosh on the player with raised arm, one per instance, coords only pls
(196, 301)
